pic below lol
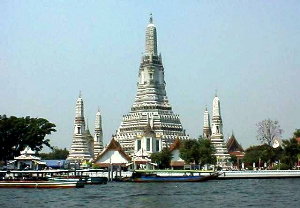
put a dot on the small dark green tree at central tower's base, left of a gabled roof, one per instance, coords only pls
(162, 158)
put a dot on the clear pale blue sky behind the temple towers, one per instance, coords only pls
(246, 51)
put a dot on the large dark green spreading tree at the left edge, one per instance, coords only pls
(17, 133)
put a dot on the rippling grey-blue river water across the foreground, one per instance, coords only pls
(216, 193)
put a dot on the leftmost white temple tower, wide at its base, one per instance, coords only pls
(81, 147)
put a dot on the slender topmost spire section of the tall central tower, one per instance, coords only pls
(151, 38)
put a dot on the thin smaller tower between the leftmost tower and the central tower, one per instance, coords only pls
(98, 136)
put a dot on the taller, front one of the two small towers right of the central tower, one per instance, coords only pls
(217, 134)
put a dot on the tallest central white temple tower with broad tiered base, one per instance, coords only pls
(151, 101)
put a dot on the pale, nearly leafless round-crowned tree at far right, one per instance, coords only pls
(268, 130)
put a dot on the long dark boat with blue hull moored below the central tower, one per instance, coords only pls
(152, 177)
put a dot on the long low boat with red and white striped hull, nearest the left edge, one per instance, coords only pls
(40, 184)
